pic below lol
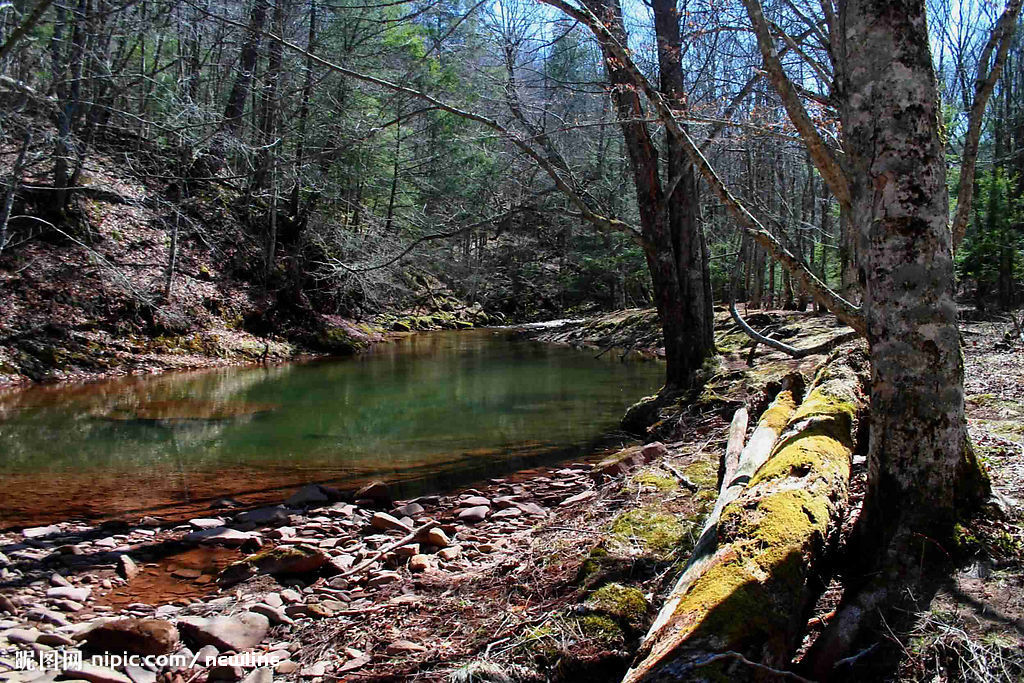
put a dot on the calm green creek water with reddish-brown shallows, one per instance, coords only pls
(430, 412)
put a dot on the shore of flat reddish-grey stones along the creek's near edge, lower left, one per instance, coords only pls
(289, 582)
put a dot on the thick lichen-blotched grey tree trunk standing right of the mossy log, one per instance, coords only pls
(922, 472)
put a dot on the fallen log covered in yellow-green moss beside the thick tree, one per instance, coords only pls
(752, 582)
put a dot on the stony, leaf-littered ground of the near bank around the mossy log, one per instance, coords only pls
(551, 574)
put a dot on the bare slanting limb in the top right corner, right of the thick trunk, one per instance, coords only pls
(985, 83)
